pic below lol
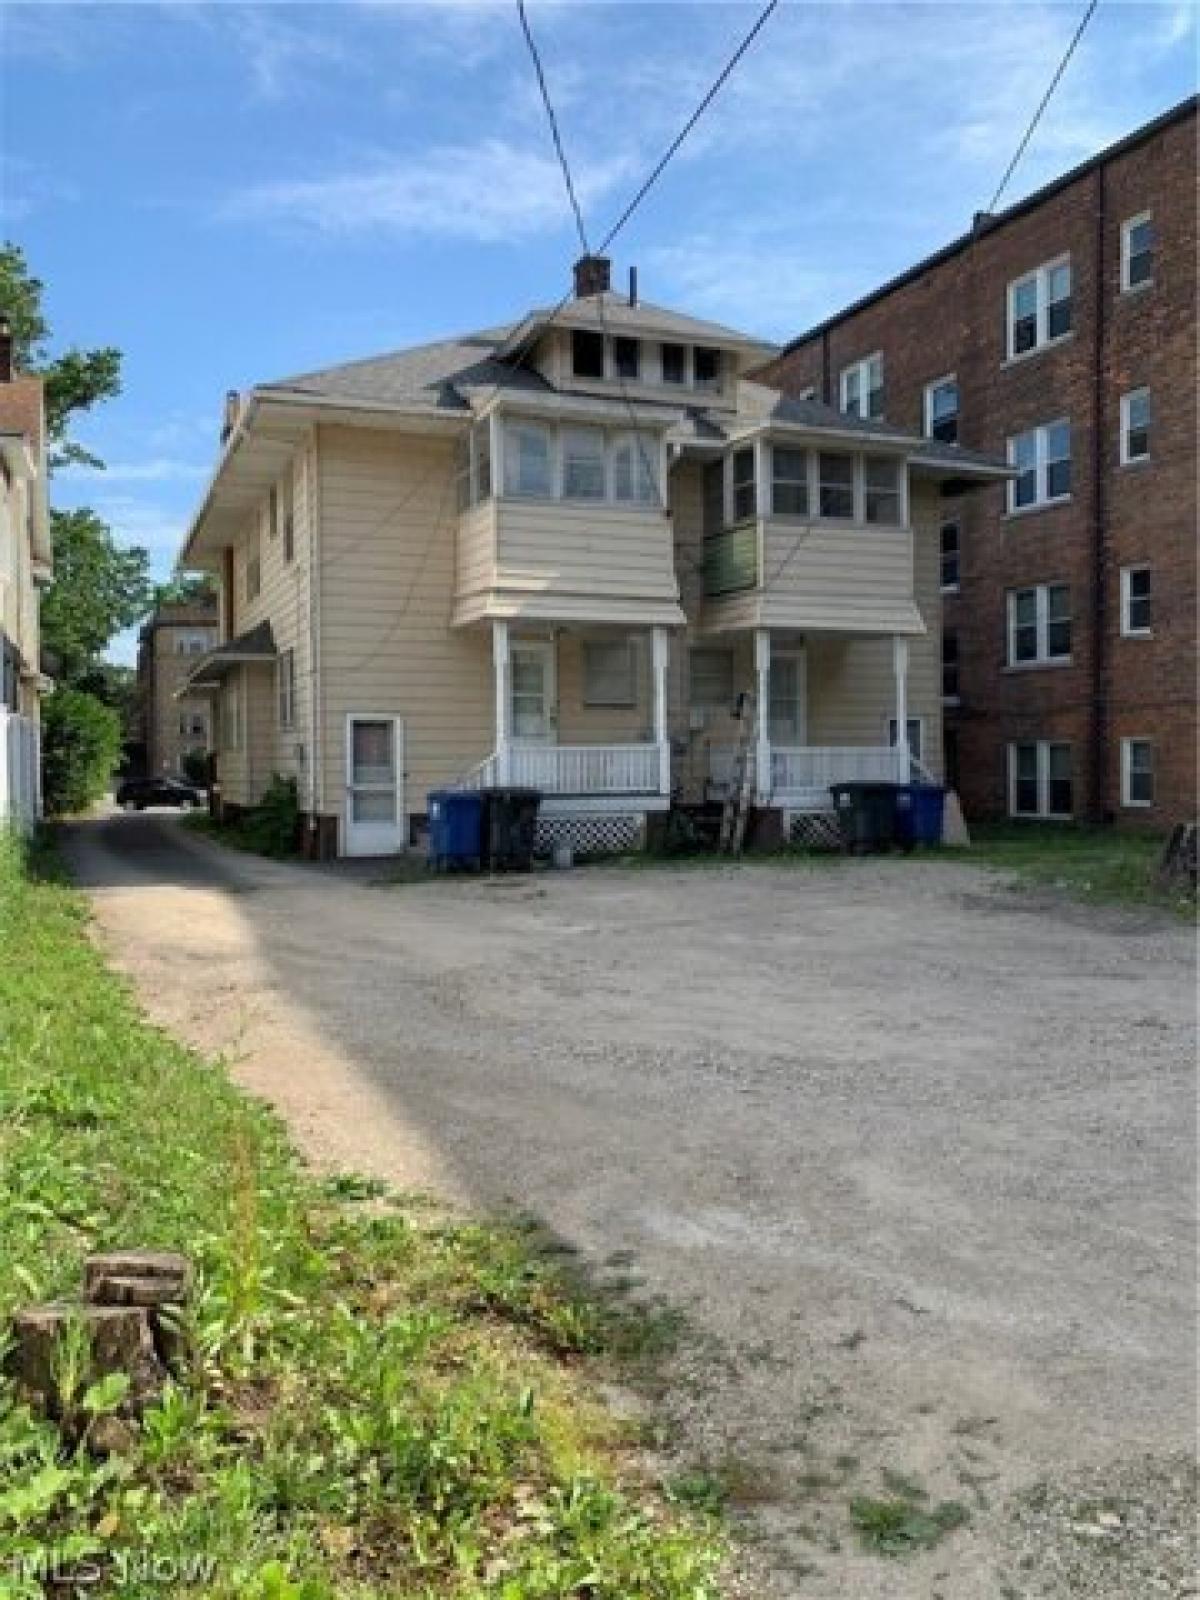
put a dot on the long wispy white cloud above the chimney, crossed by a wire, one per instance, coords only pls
(494, 191)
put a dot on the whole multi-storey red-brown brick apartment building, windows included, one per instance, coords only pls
(1062, 332)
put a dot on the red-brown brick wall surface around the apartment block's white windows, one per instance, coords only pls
(951, 318)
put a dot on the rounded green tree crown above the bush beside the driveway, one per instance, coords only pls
(98, 590)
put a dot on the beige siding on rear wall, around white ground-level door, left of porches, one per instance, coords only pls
(388, 556)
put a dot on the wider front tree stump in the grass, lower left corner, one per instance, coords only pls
(116, 1340)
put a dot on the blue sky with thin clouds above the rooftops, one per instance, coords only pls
(239, 193)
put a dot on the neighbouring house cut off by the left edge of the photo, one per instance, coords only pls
(25, 570)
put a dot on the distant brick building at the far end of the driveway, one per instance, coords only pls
(175, 726)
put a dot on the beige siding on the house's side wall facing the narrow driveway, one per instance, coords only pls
(284, 601)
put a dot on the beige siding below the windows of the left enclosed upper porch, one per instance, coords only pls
(562, 561)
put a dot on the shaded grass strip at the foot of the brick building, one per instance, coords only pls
(1095, 865)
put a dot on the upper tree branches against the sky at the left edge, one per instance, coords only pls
(76, 380)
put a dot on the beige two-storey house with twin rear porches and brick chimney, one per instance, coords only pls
(556, 554)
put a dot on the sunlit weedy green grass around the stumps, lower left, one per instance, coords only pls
(377, 1402)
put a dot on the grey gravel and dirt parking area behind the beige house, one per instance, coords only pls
(911, 1150)
